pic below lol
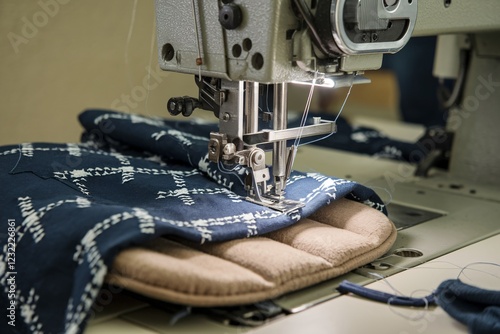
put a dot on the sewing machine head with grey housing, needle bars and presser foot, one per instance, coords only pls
(235, 47)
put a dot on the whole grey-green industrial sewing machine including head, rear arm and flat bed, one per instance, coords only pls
(239, 50)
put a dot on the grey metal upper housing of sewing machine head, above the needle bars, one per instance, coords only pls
(273, 38)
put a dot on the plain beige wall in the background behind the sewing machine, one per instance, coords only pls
(59, 57)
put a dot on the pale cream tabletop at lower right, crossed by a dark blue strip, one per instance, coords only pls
(348, 314)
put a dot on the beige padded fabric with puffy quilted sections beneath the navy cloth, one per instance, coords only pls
(336, 239)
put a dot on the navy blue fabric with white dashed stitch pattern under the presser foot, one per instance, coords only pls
(72, 207)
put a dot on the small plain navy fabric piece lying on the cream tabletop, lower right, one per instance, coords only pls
(477, 308)
